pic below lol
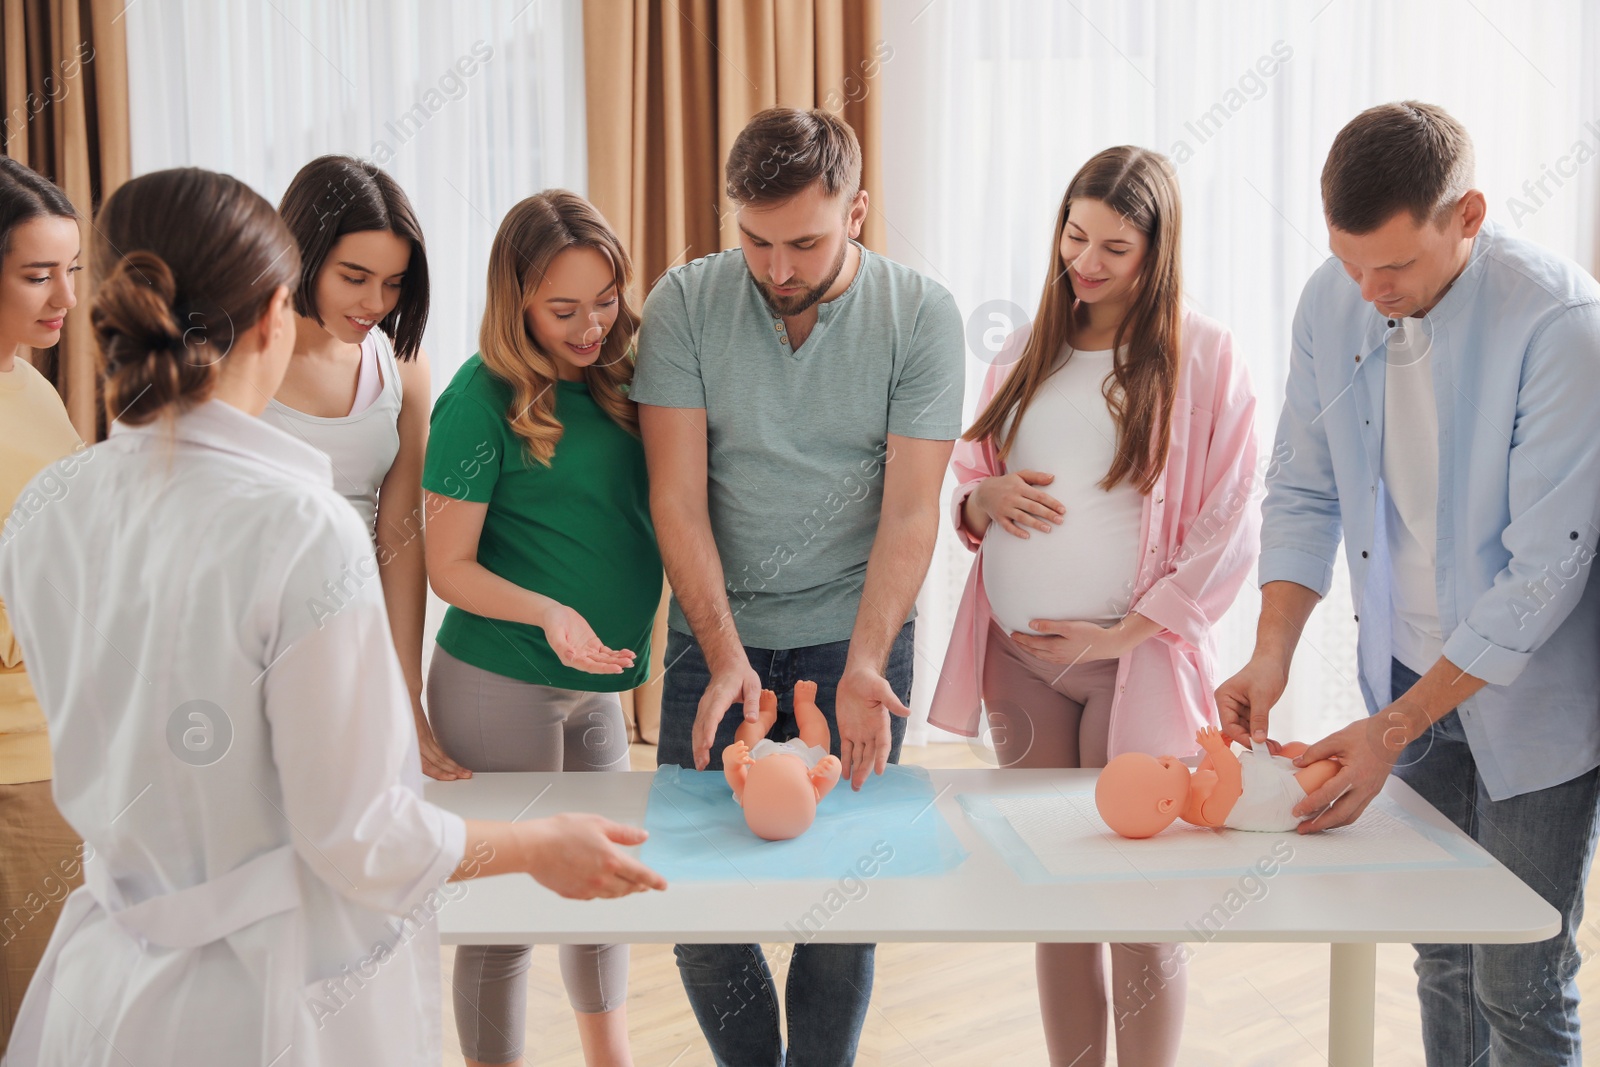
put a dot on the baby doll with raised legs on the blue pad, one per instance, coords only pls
(780, 785)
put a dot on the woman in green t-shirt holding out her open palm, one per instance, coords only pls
(540, 540)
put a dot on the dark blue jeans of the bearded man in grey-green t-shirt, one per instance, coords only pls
(732, 988)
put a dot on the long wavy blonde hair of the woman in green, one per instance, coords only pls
(532, 236)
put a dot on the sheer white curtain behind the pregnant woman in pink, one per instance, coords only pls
(991, 108)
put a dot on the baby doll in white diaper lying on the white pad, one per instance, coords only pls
(1140, 796)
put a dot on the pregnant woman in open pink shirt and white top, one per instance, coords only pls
(1108, 490)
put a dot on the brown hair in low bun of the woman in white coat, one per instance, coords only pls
(186, 260)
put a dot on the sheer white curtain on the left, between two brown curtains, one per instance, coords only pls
(470, 106)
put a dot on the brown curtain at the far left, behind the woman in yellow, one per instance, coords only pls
(65, 78)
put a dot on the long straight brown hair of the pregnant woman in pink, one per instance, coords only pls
(1143, 190)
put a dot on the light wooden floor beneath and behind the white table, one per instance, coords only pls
(959, 1005)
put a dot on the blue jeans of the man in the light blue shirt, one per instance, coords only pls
(1505, 1005)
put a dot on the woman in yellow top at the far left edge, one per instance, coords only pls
(39, 852)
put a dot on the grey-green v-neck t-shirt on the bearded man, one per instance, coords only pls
(798, 439)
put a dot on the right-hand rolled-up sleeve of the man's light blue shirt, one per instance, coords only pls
(1554, 481)
